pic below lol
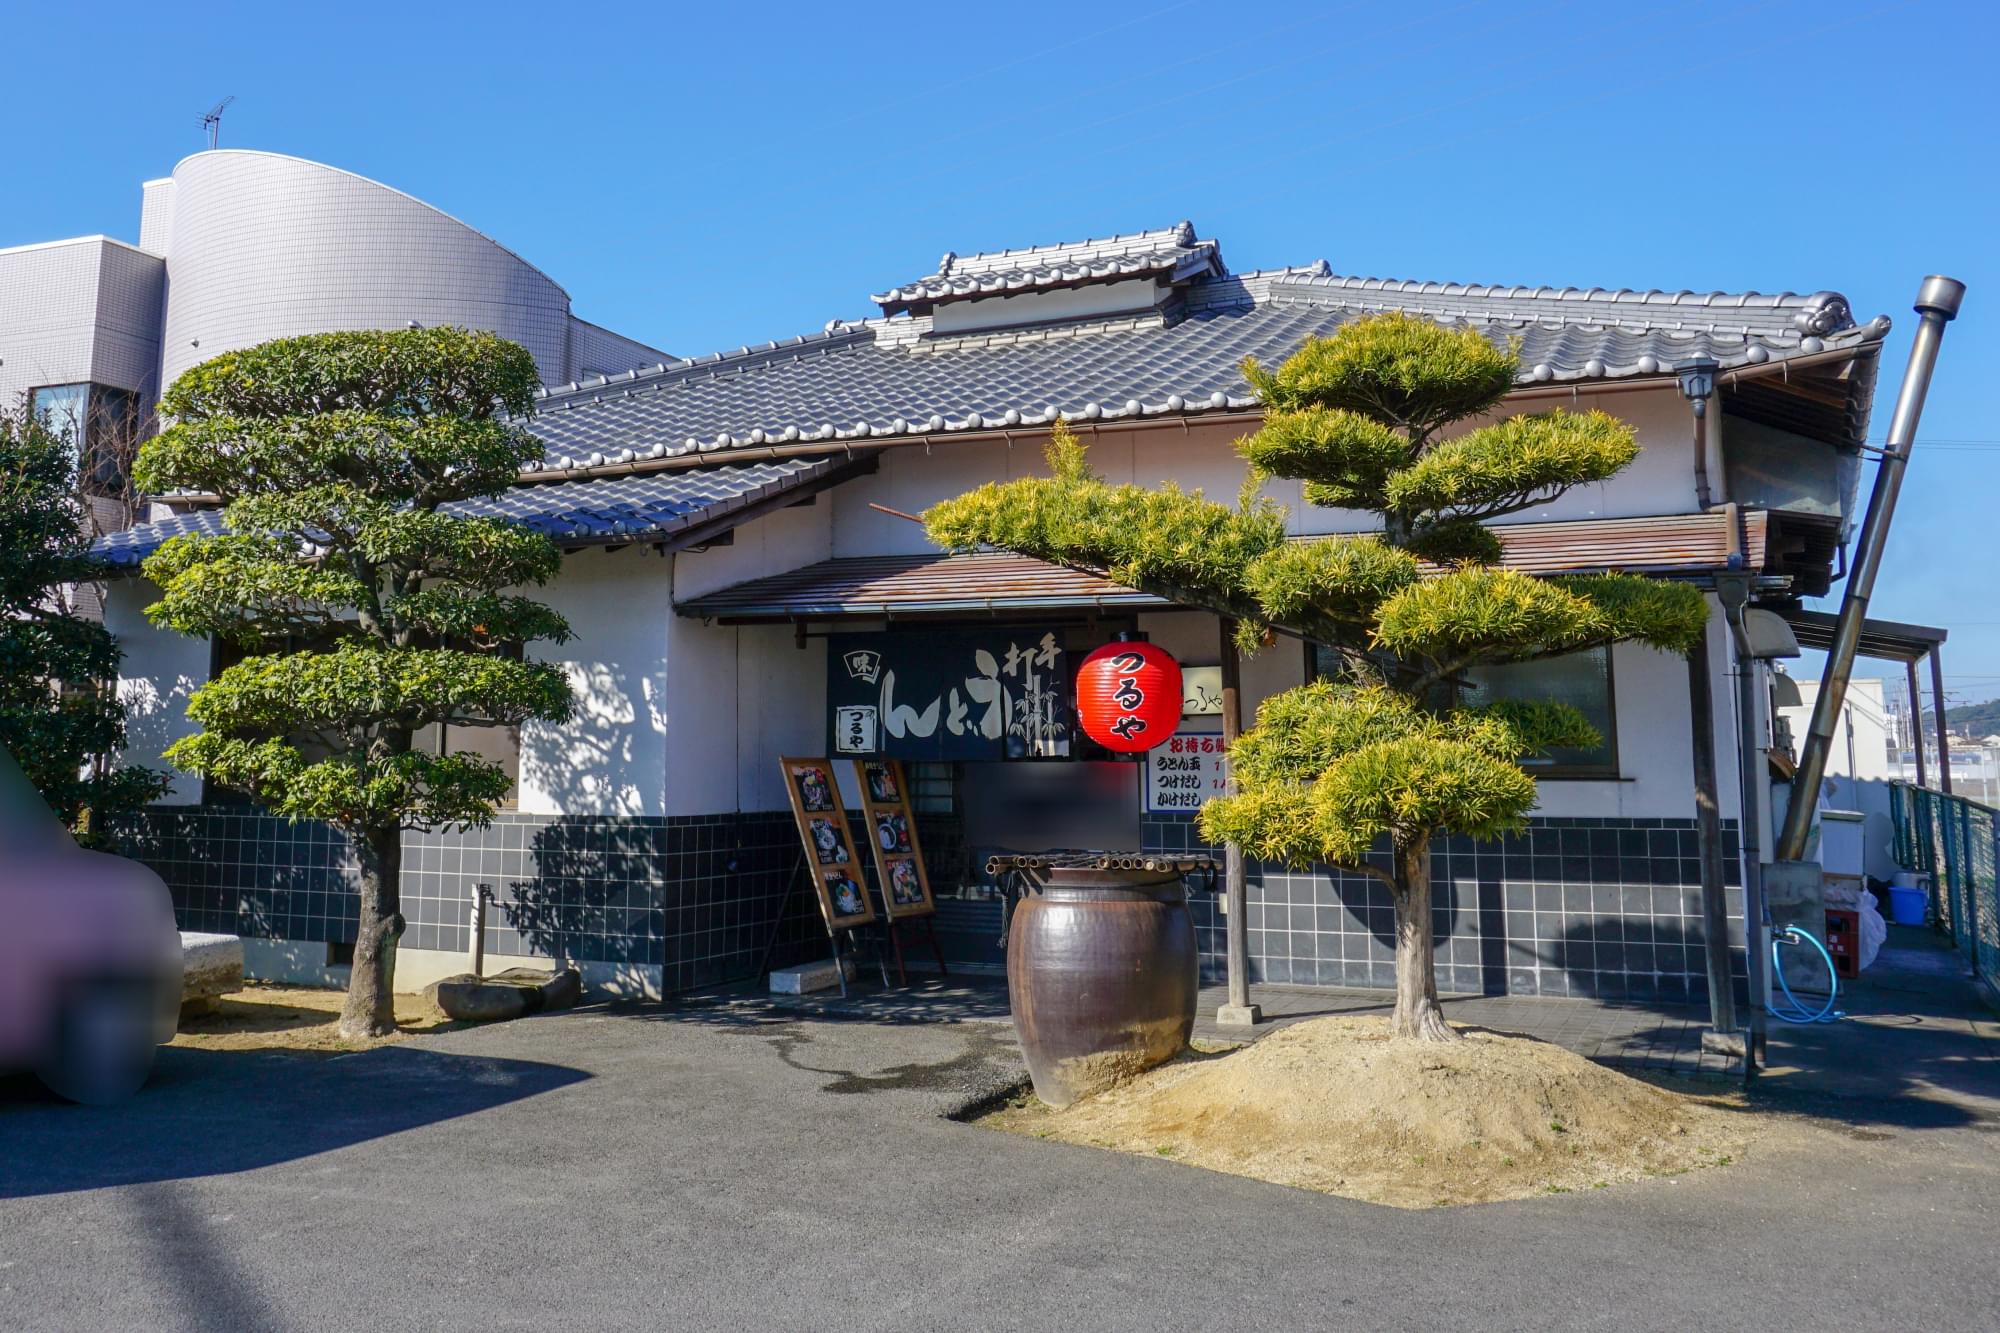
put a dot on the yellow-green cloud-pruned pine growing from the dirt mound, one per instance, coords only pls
(1363, 772)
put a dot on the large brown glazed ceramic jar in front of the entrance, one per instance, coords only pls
(1101, 974)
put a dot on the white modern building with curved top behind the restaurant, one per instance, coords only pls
(239, 247)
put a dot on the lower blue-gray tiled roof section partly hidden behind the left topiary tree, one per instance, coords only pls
(573, 513)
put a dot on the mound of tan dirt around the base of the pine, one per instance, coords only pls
(1337, 1106)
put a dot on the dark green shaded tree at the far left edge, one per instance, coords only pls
(59, 708)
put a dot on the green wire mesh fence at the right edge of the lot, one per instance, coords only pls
(1957, 844)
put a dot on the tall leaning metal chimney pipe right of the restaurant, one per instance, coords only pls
(1937, 305)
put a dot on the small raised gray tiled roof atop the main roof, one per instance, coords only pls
(1173, 253)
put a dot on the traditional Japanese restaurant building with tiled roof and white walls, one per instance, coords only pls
(745, 581)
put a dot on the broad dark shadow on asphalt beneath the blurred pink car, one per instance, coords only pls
(221, 1112)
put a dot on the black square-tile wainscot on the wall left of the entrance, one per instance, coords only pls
(699, 898)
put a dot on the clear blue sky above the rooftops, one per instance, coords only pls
(713, 175)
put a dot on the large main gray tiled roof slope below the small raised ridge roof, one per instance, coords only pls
(871, 379)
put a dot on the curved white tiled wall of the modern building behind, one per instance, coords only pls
(269, 247)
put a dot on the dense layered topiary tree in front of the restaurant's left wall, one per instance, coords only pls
(369, 611)
